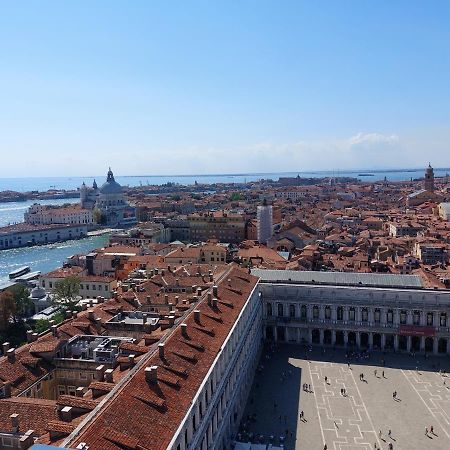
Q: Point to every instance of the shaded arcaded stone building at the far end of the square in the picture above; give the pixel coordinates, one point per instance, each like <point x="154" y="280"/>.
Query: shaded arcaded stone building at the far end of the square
<point x="362" y="317"/>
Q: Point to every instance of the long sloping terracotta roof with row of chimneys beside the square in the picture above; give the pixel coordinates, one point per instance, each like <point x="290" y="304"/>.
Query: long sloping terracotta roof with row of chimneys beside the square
<point x="157" y="410"/>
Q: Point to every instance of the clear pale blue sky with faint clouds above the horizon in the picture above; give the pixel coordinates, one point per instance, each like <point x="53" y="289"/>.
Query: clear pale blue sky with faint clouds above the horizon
<point x="197" y="87"/>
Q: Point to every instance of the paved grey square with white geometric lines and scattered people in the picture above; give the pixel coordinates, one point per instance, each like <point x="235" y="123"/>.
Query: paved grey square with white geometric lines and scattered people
<point x="357" y="418"/>
